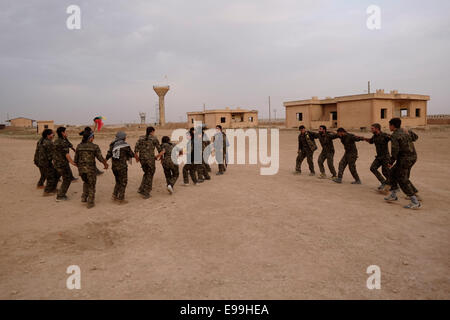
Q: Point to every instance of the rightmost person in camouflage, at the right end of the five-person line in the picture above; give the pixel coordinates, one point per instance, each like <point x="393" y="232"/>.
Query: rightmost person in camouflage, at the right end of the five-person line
<point x="403" y="157"/>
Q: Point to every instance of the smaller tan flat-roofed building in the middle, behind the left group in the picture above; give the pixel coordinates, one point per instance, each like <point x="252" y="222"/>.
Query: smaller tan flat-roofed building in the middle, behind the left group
<point x="227" y="118"/>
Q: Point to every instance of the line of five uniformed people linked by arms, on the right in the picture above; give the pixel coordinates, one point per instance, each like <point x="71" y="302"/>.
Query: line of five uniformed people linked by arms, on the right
<point x="395" y="165"/>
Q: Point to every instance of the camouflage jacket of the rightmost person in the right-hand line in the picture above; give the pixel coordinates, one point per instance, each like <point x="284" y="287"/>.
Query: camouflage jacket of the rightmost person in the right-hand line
<point x="402" y="145"/>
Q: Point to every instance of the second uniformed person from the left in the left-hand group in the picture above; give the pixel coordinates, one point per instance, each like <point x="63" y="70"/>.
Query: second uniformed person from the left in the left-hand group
<point x="61" y="160"/>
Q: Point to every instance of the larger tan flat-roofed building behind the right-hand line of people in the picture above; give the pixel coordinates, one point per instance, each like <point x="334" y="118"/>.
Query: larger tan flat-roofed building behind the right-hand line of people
<point x="358" y="111"/>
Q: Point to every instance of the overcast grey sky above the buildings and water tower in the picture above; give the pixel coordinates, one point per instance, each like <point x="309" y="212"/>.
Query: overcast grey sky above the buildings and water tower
<point x="218" y="53"/>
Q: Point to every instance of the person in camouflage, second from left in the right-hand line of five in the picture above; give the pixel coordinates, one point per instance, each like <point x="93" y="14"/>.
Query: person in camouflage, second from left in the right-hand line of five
<point x="326" y="141"/>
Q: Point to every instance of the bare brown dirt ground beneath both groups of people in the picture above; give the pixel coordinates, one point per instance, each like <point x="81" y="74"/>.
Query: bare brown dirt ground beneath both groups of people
<point x="238" y="236"/>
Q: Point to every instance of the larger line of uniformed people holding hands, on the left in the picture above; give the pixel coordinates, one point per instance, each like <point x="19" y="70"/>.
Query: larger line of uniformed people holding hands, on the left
<point x="53" y="160"/>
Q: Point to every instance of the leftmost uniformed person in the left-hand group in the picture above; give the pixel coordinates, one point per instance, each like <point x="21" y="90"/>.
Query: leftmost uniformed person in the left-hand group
<point x="45" y="155"/>
